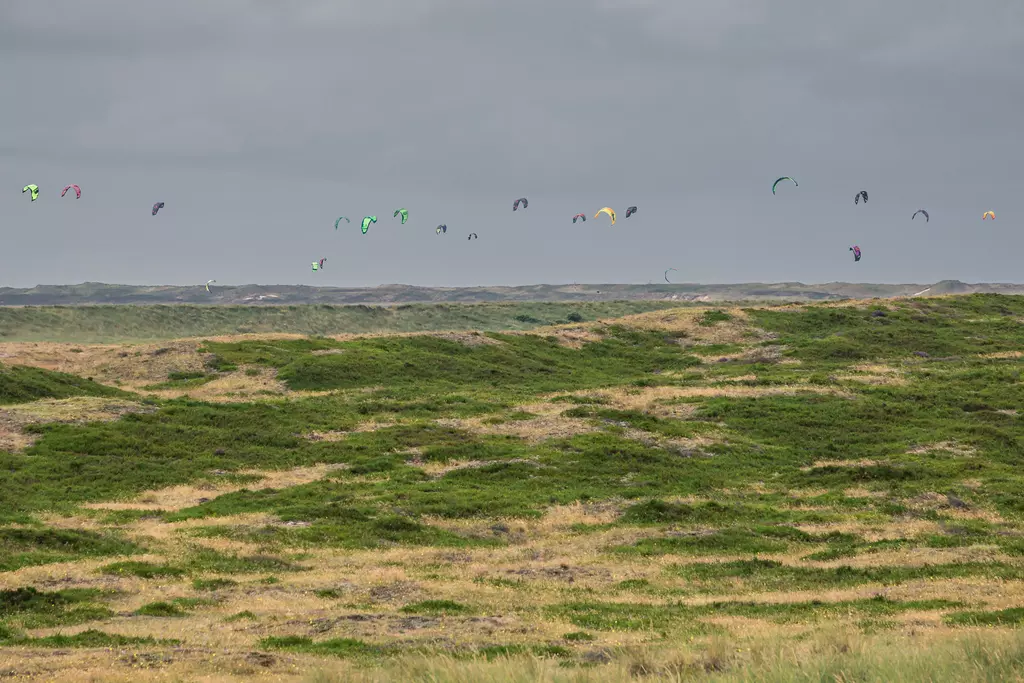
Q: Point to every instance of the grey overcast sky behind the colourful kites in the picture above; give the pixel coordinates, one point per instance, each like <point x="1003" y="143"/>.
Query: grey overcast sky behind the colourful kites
<point x="260" y="122"/>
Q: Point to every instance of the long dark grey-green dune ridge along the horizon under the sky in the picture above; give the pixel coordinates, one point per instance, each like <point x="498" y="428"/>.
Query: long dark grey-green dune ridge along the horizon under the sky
<point x="100" y="293"/>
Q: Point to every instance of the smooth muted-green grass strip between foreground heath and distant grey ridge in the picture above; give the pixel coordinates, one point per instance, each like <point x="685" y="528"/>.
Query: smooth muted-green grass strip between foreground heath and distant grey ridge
<point x="106" y="324"/>
